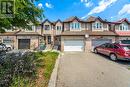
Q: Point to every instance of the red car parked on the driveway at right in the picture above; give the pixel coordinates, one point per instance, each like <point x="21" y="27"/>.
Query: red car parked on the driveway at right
<point x="114" y="50"/>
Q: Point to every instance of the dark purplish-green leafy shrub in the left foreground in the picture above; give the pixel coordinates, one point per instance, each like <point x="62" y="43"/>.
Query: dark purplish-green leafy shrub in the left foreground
<point x="20" y="65"/>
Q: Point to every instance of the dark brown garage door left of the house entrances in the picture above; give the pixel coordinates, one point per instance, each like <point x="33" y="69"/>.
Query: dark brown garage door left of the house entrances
<point x="23" y="43"/>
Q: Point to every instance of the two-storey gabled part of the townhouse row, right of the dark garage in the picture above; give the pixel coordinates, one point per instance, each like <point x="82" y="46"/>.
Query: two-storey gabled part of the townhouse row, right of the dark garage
<point x="75" y="34"/>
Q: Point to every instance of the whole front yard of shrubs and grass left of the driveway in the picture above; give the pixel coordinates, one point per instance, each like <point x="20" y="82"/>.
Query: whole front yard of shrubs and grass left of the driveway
<point x="33" y="69"/>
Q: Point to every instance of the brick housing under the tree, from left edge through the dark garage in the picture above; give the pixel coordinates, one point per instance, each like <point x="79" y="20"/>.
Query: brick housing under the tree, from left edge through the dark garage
<point x="22" y="38"/>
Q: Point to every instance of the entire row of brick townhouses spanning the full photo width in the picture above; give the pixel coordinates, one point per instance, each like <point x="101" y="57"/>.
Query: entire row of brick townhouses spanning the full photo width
<point x="72" y="34"/>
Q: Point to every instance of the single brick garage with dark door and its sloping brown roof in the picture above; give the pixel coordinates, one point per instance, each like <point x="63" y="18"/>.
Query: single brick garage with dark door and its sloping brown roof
<point x="27" y="40"/>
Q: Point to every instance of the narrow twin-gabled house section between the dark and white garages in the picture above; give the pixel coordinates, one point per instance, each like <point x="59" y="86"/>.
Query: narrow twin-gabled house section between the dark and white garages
<point x="52" y="31"/>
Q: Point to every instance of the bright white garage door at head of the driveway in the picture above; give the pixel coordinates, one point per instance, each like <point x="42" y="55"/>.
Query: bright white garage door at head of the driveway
<point x="73" y="45"/>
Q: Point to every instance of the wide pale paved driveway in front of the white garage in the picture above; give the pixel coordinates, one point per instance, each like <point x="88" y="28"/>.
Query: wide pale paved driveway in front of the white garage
<point x="91" y="70"/>
